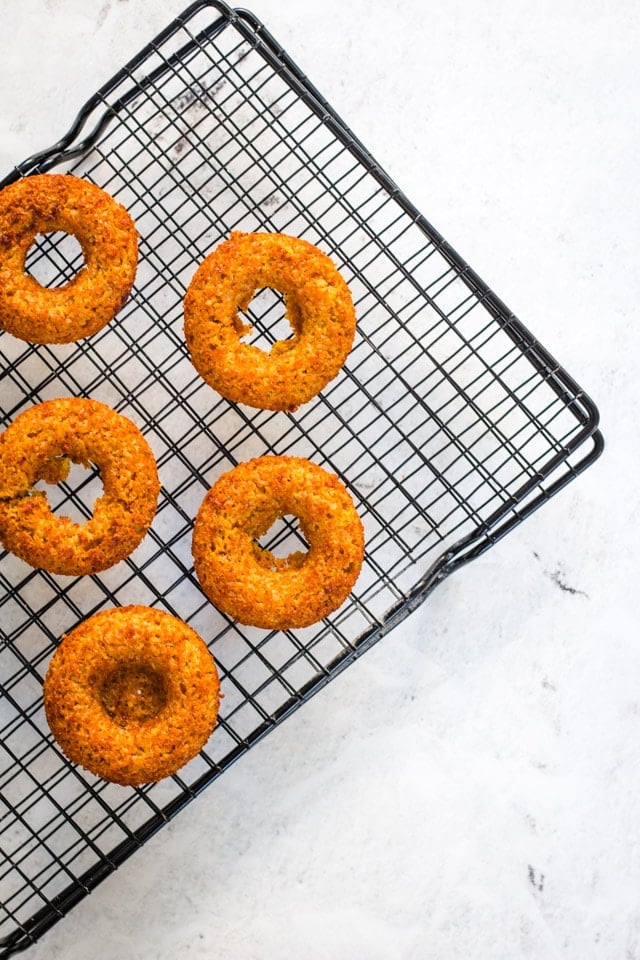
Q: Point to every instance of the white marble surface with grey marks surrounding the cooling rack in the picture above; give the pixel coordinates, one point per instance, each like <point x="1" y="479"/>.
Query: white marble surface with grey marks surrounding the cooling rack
<point x="471" y="787"/>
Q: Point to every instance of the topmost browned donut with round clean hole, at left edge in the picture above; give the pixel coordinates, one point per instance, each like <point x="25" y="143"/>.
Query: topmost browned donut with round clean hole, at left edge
<point x="44" y="203"/>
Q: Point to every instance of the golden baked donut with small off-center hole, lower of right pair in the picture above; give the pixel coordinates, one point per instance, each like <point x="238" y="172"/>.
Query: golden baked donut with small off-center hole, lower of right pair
<point x="248" y="582"/>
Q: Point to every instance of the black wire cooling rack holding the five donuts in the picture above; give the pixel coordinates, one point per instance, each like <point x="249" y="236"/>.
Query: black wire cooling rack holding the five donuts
<point x="449" y="423"/>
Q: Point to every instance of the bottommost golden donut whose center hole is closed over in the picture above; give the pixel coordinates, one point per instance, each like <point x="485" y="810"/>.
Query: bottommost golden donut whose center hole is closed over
<point x="131" y="694"/>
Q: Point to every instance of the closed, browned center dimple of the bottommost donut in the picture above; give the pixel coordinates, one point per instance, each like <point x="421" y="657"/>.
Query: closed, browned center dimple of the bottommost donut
<point x="133" y="693"/>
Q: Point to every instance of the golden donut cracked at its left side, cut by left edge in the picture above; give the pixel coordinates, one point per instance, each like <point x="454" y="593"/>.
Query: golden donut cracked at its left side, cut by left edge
<point x="40" y="444"/>
